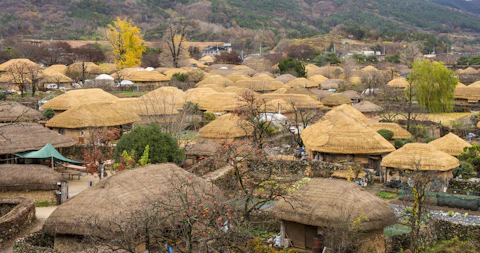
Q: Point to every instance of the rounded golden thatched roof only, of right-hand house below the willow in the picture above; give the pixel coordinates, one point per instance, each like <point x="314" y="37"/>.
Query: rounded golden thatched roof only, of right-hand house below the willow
<point x="426" y="156"/>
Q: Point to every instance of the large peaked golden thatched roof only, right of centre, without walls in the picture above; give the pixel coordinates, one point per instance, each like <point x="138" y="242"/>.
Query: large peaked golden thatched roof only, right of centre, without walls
<point x="339" y="133"/>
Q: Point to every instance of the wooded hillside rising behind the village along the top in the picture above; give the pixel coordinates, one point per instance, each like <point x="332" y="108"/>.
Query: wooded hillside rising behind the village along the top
<point x="240" y="21"/>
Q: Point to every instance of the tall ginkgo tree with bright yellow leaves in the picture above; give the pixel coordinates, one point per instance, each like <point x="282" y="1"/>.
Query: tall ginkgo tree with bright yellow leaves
<point x="126" y="42"/>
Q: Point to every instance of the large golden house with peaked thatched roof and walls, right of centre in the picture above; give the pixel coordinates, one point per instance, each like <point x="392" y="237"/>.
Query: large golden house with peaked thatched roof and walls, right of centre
<point x="338" y="136"/>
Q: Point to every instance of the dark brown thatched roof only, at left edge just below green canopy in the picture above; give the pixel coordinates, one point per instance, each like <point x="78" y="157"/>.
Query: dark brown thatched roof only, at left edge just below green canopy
<point x="28" y="177"/>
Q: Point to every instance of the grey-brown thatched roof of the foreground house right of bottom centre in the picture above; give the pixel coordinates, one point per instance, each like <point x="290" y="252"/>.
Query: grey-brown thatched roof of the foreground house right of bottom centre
<point x="330" y="203"/>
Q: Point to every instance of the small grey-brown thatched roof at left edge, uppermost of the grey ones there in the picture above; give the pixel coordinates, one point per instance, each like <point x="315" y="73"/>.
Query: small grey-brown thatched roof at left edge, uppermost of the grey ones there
<point x="16" y="112"/>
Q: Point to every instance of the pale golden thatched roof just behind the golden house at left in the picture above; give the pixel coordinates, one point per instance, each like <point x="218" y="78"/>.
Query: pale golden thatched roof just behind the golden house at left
<point x="78" y="97"/>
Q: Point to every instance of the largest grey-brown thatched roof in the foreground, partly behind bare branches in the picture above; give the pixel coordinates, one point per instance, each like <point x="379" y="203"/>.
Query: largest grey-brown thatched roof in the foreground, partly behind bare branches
<point x="116" y="196"/>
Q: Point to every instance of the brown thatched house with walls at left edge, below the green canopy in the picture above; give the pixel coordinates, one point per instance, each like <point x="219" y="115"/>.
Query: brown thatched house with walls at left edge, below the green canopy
<point x="31" y="181"/>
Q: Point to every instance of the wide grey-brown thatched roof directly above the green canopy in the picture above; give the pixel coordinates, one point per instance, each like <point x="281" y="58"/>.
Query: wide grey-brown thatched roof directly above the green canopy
<point x="21" y="137"/>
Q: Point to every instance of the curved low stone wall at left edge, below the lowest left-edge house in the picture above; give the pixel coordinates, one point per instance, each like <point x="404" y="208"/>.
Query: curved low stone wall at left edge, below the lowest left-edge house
<point x="22" y="214"/>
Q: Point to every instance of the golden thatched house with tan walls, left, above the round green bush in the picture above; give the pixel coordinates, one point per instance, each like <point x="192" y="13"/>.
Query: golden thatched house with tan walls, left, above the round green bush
<point x="76" y="121"/>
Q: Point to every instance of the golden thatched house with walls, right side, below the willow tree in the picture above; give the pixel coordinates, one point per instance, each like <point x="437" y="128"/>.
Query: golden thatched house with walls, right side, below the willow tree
<point x="419" y="156"/>
